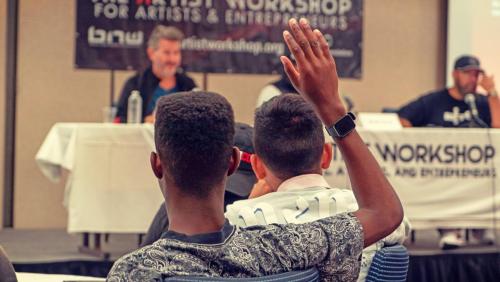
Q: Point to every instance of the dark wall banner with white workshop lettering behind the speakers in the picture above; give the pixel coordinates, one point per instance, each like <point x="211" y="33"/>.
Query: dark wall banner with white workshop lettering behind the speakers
<point x="221" y="36"/>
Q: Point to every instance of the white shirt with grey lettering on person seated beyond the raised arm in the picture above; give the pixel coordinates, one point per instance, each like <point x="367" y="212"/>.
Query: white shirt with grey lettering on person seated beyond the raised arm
<point x="306" y="198"/>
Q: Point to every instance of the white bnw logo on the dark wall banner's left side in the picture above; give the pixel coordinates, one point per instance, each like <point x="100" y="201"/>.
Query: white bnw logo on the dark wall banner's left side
<point x="114" y="38"/>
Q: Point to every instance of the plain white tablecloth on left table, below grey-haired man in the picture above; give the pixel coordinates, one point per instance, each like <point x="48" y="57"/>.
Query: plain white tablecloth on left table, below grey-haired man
<point x="110" y="187"/>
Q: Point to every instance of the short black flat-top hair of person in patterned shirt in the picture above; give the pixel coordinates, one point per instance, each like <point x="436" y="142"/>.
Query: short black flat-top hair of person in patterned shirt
<point x="194" y="134"/>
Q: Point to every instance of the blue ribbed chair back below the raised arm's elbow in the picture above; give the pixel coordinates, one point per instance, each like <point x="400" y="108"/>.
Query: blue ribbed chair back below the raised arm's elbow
<point x="389" y="264"/>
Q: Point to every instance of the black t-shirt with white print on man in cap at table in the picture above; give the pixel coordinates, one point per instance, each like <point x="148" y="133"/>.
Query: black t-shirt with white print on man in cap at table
<point x="441" y="110"/>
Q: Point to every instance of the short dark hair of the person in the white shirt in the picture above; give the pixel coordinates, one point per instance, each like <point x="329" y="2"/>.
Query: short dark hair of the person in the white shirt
<point x="288" y="136"/>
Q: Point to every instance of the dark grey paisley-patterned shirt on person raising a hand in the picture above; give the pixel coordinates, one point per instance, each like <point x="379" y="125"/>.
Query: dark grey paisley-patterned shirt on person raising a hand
<point x="333" y="245"/>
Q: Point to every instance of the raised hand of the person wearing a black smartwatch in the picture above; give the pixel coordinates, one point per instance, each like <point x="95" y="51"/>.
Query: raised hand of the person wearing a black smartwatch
<point x="315" y="76"/>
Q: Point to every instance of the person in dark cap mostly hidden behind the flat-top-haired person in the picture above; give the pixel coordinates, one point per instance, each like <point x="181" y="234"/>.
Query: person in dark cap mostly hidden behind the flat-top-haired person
<point x="238" y="185"/>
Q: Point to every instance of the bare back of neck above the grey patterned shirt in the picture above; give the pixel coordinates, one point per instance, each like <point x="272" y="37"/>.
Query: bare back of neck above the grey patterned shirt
<point x="191" y="215"/>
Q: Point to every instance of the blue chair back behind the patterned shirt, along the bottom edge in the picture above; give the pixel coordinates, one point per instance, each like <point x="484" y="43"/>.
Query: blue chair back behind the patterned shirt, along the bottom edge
<point x="310" y="275"/>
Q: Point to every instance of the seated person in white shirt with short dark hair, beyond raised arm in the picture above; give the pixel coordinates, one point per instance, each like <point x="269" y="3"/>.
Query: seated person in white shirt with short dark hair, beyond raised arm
<point x="290" y="155"/>
